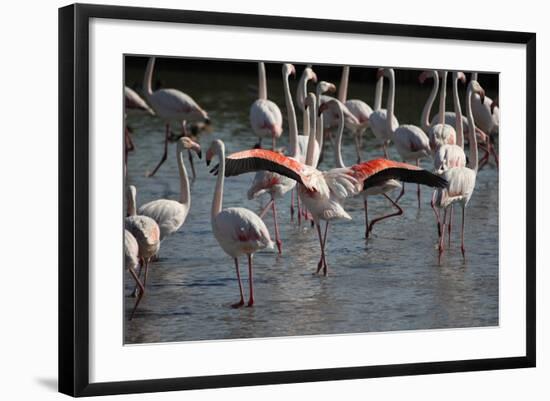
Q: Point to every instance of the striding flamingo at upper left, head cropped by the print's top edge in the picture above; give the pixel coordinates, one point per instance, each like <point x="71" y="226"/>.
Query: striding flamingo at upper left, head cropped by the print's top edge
<point x="171" y="105"/>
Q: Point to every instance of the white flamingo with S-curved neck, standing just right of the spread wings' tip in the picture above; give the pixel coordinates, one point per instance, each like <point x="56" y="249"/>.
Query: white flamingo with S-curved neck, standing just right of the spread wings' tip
<point x="461" y="179"/>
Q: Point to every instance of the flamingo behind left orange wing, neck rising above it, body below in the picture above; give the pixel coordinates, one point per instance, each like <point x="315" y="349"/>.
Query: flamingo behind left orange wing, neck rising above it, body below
<point x="269" y="182"/>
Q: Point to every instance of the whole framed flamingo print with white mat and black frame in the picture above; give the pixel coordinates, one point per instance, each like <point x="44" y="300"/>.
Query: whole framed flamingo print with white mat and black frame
<point x="251" y="208"/>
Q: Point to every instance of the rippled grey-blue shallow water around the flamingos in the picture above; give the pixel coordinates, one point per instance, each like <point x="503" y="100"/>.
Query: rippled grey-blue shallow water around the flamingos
<point x="392" y="282"/>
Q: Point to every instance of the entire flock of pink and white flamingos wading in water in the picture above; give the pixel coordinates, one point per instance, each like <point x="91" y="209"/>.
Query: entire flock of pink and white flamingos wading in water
<point x="316" y="194"/>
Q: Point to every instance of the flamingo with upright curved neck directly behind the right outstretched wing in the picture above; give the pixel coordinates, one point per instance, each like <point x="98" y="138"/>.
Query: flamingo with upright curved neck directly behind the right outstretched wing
<point x="410" y="141"/>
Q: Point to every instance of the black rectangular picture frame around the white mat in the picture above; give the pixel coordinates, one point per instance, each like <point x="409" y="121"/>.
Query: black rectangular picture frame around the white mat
<point x="74" y="204"/>
